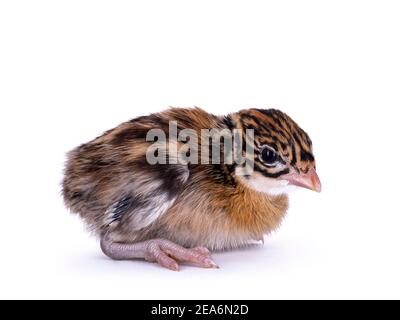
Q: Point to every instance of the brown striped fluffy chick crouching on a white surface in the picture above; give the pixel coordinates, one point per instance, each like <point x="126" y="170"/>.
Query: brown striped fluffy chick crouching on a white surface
<point x="180" y="212"/>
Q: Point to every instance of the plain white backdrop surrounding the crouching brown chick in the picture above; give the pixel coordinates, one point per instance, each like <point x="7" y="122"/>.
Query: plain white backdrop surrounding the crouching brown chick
<point x="70" y="70"/>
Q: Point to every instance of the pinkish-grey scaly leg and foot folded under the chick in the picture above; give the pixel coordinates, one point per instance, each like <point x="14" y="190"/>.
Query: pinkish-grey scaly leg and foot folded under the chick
<point x="166" y="253"/>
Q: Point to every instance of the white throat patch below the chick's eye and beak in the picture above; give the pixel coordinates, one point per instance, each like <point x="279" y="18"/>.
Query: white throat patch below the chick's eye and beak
<point x="267" y="185"/>
